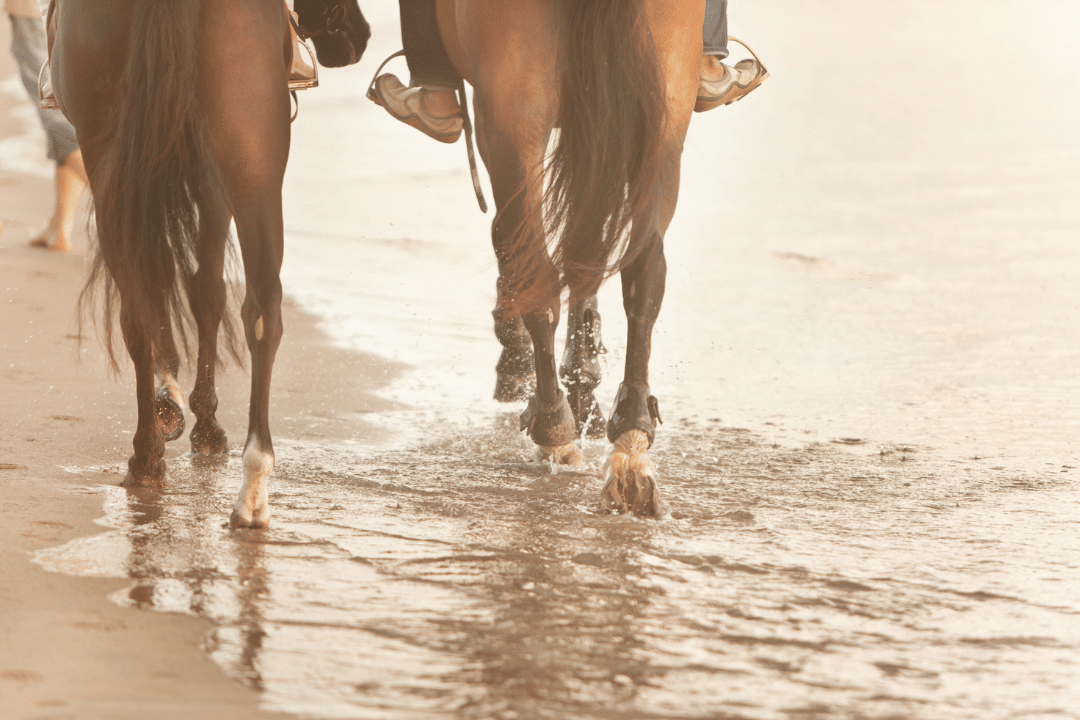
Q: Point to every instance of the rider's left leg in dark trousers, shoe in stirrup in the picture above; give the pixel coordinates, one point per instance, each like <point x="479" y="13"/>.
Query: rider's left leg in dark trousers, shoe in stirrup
<point x="429" y="104"/>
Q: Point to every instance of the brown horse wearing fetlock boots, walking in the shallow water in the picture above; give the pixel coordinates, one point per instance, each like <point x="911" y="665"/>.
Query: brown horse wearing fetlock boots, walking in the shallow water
<point x="619" y="79"/>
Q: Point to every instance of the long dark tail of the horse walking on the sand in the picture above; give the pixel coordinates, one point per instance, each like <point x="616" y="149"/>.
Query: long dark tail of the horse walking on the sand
<point x="154" y="180"/>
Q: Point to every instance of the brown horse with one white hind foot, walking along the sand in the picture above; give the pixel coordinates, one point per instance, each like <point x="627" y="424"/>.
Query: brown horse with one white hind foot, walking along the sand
<point x="183" y="114"/>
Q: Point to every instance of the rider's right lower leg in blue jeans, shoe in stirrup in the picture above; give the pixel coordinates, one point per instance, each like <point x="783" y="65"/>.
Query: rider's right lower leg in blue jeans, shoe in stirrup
<point x="723" y="85"/>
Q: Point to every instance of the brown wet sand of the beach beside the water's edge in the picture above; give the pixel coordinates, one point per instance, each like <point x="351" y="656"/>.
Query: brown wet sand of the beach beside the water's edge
<point x="66" y="650"/>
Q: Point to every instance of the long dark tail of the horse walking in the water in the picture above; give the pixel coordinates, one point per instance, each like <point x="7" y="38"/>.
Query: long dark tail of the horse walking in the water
<point x="605" y="167"/>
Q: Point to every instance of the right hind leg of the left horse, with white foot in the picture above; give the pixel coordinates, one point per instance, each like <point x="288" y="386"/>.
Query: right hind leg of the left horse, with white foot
<point x="244" y="90"/>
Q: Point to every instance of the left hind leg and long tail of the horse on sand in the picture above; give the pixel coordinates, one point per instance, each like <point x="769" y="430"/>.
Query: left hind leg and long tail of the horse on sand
<point x="129" y="89"/>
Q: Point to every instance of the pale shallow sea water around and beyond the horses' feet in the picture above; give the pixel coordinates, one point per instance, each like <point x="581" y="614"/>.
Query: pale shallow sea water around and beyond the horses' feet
<point x="868" y="366"/>
